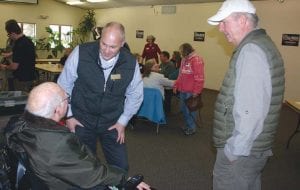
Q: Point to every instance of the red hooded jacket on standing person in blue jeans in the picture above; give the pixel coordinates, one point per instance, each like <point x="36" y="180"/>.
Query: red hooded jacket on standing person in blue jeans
<point x="191" y="74"/>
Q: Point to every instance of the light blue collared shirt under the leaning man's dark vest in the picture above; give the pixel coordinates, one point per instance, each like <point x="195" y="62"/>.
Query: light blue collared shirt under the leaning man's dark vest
<point x="134" y="91"/>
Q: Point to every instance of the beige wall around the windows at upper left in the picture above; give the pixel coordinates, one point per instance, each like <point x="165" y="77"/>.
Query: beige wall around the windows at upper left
<point x="58" y="14"/>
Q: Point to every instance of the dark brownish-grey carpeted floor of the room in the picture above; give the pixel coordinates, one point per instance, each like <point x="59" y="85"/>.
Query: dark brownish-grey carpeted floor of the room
<point x="173" y="161"/>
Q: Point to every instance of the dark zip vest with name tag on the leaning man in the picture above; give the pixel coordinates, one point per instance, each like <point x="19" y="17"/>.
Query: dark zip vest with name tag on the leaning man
<point x="93" y="105"/>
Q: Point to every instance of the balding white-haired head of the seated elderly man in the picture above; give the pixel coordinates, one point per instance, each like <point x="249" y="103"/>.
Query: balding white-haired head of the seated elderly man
<point x="44" y="98"/>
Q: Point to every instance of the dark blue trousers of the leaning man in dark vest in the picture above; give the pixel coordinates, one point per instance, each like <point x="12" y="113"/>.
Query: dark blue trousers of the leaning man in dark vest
<point x="114" y="152"/>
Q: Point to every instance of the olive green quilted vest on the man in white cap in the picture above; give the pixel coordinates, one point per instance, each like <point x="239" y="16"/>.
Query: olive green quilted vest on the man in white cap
<point x="223" y="119"/>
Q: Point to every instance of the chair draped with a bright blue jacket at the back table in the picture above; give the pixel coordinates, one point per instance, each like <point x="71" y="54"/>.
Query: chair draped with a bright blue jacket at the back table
<point x="152" y="107"/>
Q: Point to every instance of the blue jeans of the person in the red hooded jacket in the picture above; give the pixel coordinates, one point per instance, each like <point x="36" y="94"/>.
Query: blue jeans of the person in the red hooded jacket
<point x="189" y="117"/>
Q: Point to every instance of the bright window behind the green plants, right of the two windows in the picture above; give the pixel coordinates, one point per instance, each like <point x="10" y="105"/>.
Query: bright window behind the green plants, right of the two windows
<point x="62" y="33"/>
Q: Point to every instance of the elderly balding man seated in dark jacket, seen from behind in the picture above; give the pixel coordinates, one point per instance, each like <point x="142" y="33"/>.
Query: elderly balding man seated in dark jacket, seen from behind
<point x="55" y="154"/>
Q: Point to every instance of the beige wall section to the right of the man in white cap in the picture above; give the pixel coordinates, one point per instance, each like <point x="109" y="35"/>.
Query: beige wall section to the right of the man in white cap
<point x="279" y="19"/>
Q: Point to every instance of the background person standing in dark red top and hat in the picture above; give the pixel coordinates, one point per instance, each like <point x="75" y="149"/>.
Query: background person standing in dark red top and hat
<point x="151" y="49"/>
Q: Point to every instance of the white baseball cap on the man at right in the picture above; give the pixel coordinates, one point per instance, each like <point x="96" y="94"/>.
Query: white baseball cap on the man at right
<point x="231" y="6"/>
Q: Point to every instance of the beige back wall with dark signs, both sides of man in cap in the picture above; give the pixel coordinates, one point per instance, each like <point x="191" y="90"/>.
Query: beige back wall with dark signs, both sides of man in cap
<point x="173" y="30"/>
